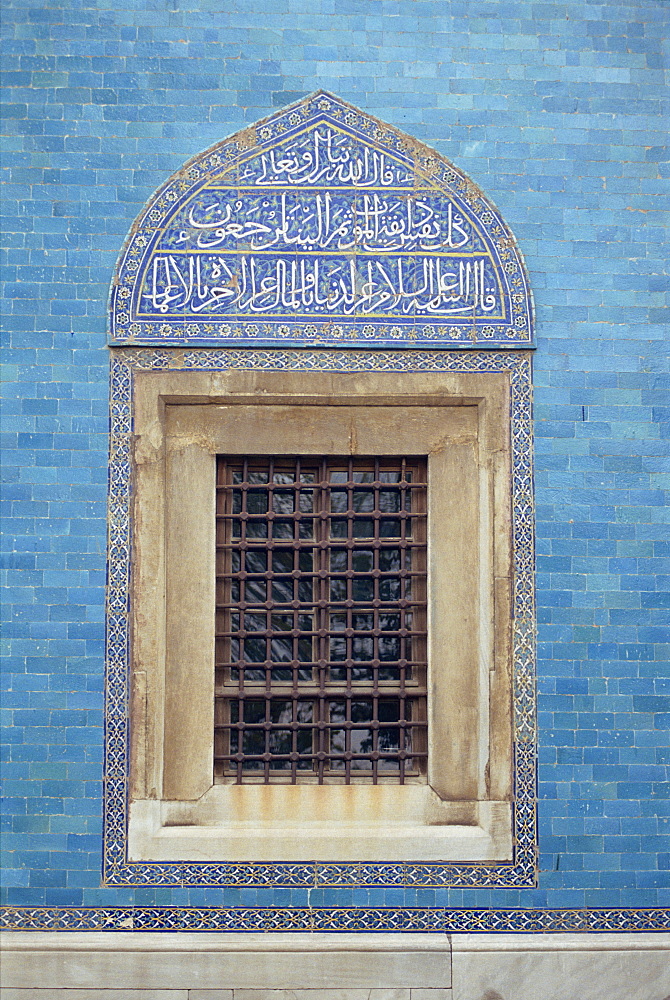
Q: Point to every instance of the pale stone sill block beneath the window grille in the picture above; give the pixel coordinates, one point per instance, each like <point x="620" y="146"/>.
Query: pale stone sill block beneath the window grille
<point x="205" y="829"/>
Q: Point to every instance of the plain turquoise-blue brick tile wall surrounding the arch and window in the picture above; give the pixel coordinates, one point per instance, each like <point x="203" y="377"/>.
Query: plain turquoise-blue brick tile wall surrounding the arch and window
<point x="557" y="111"/>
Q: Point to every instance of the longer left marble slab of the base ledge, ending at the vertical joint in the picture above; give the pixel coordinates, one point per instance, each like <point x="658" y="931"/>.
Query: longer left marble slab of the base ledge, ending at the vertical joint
<point x="203" y="962"/>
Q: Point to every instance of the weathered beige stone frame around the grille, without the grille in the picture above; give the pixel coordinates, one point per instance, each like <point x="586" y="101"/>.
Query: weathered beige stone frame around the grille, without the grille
<point x="176" y="811"/>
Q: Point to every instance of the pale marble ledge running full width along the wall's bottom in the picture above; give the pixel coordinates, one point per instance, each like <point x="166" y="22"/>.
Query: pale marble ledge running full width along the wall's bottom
<point x="184" y="966"/>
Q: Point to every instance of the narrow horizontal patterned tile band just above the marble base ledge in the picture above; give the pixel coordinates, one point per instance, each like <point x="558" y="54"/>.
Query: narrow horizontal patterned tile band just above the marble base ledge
<point x="335" y="920"/>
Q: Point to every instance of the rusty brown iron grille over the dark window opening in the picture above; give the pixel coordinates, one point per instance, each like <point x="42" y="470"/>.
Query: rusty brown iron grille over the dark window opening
<point x="320" y="620"/>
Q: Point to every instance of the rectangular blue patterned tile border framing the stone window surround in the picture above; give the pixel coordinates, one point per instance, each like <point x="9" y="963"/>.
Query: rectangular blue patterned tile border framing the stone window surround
<point x="118" y="871"/>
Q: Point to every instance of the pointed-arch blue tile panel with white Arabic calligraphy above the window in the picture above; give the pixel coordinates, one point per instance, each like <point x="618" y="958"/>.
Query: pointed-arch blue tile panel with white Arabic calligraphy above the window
<point x="321" y="226"/>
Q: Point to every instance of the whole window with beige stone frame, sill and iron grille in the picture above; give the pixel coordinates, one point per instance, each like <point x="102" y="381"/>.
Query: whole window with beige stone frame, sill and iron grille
<point x="352" y="722"/>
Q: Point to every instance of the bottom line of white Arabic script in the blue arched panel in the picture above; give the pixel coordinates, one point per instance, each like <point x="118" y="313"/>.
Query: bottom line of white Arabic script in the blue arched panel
<point x="249" y="284"/>
